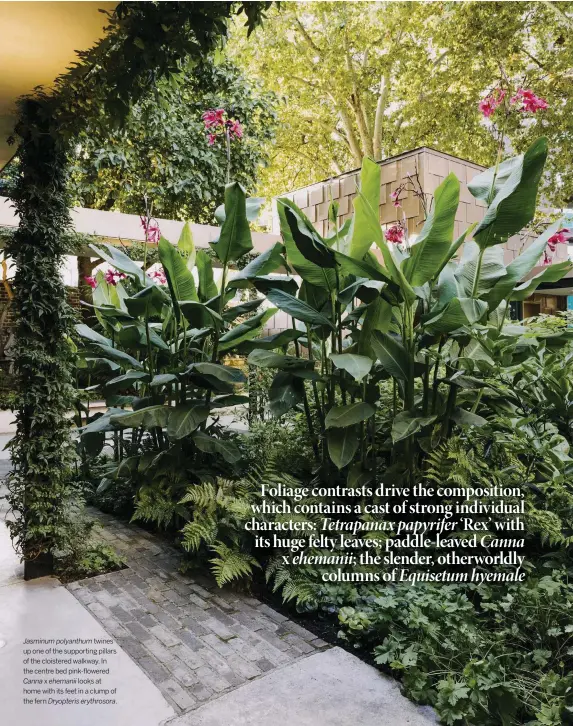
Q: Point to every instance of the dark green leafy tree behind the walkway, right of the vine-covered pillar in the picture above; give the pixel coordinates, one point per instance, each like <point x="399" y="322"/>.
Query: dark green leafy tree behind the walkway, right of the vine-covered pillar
<point x="161" y="151"/>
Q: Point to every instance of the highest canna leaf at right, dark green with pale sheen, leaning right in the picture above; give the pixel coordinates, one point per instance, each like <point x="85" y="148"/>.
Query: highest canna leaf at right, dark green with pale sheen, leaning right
<point x="513" y="207"/>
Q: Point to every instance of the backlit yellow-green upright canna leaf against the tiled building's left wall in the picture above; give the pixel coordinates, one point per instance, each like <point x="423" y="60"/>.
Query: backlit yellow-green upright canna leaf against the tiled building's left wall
<point x="365" y="226"/>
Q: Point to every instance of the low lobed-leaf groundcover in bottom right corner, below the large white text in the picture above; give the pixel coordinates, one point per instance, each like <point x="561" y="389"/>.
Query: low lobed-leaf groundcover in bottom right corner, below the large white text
<point x="480" y="654"/>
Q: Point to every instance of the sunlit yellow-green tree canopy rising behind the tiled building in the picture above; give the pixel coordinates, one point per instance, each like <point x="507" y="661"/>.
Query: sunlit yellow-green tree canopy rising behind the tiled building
<point x="377" y="78"/>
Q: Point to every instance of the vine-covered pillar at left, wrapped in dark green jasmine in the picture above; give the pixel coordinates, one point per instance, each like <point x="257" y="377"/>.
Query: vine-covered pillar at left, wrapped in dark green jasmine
<point x="39" y="489"/>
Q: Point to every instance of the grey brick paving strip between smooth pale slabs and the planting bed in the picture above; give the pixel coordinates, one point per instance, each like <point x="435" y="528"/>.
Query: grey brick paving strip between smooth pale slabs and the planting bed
<point x="194" y="640"/>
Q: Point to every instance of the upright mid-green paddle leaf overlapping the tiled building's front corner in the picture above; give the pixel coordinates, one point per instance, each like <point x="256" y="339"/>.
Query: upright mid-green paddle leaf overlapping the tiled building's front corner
<point x="432" y="247"/>
